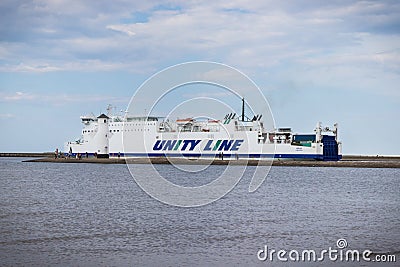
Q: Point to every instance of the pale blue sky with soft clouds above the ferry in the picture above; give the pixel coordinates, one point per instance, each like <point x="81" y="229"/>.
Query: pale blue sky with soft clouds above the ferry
<point x="329" y="61"/>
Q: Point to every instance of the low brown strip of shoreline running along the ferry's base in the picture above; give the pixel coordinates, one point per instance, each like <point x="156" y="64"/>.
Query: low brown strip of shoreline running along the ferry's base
<point x="347" y="161"/>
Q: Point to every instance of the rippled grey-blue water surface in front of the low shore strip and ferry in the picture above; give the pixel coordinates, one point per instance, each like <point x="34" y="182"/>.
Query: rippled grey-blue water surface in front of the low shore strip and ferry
<point x="96" y="215"/>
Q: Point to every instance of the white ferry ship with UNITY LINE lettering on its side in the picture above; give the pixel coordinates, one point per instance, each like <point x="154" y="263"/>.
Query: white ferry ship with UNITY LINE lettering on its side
<point x="232" y="137"/>
